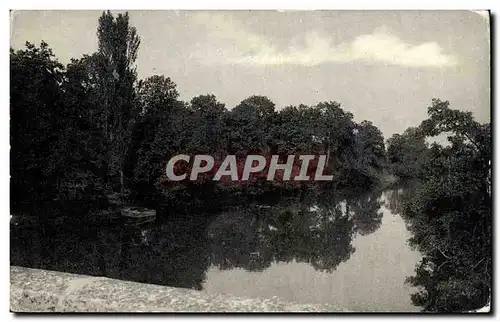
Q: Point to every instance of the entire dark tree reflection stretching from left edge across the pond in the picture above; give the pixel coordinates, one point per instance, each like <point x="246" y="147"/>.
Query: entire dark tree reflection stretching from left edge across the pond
<point x="178" y="249"/>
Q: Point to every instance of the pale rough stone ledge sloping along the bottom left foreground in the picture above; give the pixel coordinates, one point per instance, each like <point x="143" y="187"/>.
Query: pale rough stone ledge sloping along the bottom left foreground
<point x="34" y="290"/>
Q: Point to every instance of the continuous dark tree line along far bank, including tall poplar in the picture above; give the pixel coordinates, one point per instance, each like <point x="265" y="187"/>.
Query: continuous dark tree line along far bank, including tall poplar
<point x="90" y="131"/>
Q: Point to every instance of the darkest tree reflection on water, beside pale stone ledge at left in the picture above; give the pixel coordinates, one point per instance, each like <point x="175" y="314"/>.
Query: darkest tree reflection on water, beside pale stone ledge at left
<point x="175" y="252"/>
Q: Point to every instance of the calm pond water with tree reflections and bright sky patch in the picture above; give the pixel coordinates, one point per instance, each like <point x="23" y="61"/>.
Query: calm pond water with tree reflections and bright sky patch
<point x="348" y="251"/>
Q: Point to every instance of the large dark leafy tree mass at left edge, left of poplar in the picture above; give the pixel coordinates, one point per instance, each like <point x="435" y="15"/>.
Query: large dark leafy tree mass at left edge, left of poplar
<point x="55" y="161"/>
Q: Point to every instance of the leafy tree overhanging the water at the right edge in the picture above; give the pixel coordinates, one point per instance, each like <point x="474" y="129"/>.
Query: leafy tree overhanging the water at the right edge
<point x="450" y="215"/>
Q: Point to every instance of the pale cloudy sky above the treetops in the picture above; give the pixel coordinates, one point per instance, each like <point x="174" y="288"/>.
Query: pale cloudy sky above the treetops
<point x="382" y="66"/>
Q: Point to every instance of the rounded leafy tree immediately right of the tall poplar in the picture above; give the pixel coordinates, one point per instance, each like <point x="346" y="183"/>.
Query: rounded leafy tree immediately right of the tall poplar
<point x="157" y="133"/>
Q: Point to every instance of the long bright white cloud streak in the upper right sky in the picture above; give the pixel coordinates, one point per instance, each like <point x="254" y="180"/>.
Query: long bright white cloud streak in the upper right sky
<point x="239" y="46"/>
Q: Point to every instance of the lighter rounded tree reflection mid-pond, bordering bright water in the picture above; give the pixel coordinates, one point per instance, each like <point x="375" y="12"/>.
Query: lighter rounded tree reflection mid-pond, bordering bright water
<point x="318" y="229"/>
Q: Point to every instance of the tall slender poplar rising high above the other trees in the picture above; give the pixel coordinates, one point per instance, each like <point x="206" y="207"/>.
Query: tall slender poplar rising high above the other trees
<point x="115" y="76"/>
